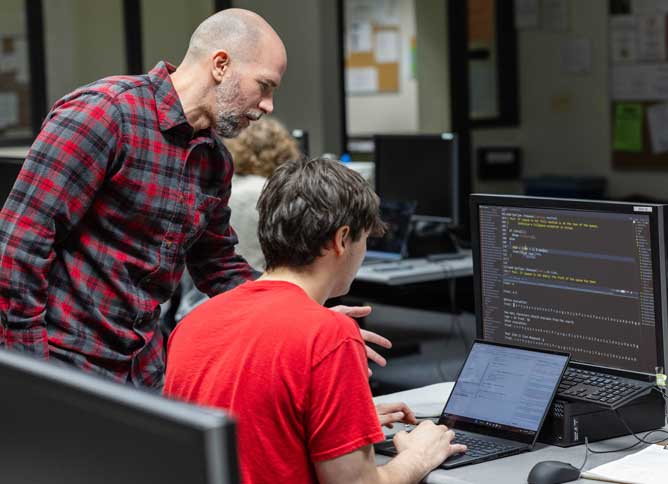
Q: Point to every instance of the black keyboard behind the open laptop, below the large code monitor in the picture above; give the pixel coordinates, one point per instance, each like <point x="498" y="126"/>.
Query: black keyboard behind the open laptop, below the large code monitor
<point x="600" y="388"/>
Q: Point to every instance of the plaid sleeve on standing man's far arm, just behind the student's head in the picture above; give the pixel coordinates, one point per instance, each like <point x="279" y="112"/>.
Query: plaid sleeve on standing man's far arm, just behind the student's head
<point x="212" y="261"/>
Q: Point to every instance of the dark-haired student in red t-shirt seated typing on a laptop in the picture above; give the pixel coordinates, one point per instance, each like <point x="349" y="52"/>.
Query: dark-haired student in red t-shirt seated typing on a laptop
<point x="293" y="372"/>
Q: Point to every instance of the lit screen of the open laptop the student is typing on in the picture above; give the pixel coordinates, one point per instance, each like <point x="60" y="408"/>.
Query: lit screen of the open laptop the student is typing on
<point x="505" y="388"/>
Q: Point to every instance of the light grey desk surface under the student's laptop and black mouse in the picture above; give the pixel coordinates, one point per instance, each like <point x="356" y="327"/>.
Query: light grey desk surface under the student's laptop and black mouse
<point x="509" y="470"/>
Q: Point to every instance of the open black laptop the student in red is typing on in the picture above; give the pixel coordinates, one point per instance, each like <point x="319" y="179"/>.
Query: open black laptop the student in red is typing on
<point x="499" y="401"/>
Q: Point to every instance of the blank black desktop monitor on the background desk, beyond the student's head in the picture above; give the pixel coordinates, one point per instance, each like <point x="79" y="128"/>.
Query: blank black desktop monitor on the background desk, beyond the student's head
<point x="419" y="167"/>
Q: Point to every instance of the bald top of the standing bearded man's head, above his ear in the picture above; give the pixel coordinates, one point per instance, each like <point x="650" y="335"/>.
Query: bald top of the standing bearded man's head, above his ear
<point x="238" y="32"/>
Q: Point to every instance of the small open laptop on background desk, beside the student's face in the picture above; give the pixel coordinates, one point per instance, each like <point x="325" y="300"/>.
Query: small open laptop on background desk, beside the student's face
<point x="393" y="245"/>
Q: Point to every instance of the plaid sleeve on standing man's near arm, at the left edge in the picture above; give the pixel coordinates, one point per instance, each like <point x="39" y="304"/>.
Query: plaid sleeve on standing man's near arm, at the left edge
<point x="64" y="168"/>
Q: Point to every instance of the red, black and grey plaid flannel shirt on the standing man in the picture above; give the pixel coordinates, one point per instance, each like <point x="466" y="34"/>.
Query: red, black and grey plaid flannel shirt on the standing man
<point x="116" y="194"/>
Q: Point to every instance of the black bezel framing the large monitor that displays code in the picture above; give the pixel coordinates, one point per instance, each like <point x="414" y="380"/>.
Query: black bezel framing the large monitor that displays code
<point x="657" y="239"/>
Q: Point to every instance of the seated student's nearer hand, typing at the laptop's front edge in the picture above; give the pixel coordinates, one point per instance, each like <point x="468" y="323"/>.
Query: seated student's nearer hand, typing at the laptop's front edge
<point x="428" y="442"/>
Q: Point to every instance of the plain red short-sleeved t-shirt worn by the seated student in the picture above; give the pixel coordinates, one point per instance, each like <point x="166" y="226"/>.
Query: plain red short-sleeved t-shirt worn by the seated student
<point x="293" y="373"/>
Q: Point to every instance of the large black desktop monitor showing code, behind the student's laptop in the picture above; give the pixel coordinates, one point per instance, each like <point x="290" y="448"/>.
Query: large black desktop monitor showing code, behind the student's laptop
<point x="584" y="277"/>
